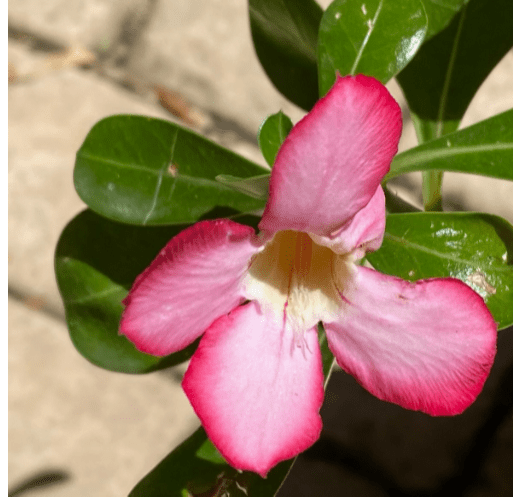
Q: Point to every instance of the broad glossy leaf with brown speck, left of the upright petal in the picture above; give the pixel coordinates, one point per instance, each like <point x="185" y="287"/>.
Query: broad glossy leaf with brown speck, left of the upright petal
<point x="145" y="171"/>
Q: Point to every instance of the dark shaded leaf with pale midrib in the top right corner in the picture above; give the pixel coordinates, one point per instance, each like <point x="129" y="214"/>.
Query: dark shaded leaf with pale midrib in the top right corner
<point x="445" y="74"/>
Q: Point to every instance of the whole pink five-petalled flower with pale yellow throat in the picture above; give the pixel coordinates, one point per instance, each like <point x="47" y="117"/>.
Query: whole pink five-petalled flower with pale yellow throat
<point x="256" y="379"/>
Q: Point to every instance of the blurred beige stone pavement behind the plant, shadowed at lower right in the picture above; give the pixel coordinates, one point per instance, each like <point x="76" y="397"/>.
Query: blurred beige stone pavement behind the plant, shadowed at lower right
<point x="80" y="430"/>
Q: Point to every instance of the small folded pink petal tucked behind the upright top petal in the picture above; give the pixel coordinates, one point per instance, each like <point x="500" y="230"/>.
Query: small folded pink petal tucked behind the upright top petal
<point x="363" y="233"/>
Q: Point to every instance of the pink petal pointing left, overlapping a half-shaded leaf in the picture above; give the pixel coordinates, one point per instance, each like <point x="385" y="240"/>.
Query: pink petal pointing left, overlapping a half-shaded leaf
<point x="195" y="279"/>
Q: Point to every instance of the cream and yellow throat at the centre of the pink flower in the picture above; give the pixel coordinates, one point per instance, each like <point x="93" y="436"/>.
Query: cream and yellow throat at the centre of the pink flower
<point x="295" y="277"/>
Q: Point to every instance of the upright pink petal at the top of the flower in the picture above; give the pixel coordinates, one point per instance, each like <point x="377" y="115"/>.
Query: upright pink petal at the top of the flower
<point x="332" y="161"/>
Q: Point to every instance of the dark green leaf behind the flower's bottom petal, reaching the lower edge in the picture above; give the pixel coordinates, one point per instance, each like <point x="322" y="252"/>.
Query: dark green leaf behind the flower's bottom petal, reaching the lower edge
<point x="196" y="468"/>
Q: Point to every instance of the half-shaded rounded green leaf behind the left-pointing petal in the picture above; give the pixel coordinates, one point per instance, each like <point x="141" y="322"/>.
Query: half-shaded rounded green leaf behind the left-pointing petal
<point x="96" y="262"/>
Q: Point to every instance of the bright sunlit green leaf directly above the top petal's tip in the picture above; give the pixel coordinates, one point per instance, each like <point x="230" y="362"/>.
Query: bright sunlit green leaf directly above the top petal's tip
<point x="370" y="37"/>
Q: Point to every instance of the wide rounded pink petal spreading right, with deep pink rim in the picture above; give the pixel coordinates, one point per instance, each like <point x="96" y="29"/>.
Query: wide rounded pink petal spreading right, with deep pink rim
<point x="427" y="346"/>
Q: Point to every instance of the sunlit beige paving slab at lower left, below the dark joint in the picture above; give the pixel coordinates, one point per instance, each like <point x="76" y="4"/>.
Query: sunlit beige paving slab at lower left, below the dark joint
<point x="102" y="431"/>
